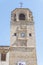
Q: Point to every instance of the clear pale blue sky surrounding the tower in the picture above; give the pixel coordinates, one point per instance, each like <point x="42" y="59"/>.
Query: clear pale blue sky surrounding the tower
<point x="36" y="6"/>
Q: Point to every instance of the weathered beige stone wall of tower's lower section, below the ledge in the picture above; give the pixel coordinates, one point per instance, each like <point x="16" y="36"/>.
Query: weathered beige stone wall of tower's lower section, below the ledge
<point x="28" y="55"/>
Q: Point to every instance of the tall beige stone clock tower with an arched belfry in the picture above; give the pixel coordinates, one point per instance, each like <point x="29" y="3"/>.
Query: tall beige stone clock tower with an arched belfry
<point x="22" y="38"/>
